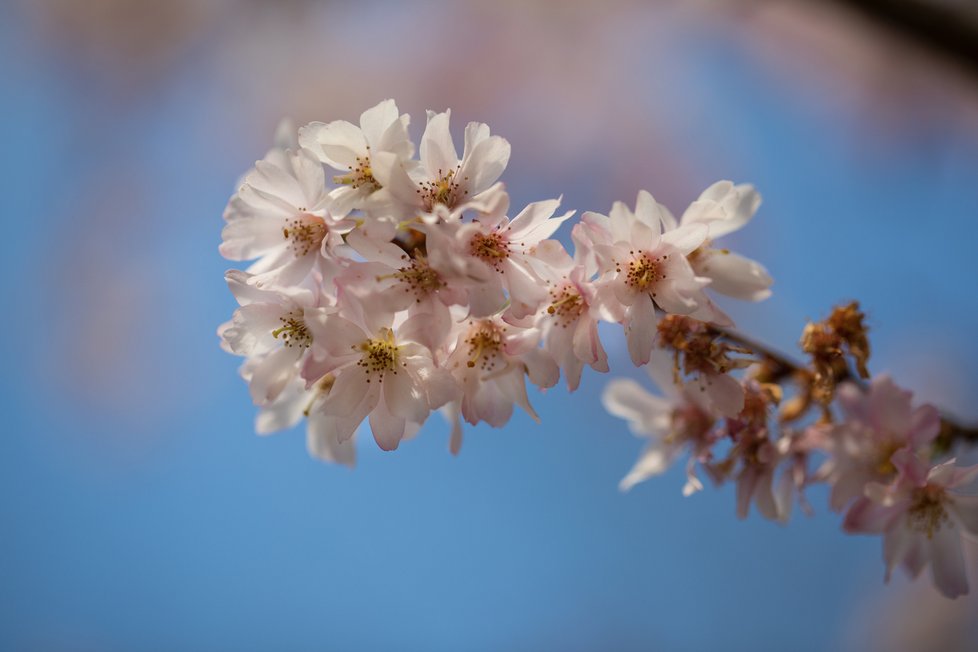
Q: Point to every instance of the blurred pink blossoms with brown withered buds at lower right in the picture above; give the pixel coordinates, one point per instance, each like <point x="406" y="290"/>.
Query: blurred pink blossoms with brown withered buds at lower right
<point x="877" y="452"/>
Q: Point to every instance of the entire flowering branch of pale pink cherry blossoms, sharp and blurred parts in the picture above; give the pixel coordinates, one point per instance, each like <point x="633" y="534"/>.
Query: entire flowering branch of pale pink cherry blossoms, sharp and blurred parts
<point x="386" y="286"/>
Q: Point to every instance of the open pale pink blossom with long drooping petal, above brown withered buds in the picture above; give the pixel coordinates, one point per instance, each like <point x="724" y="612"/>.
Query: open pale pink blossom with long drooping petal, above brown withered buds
<point x="644" y="267"/>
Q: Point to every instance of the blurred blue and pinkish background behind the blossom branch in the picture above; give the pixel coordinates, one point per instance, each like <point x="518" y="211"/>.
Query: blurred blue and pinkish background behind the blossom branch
<point x="140" y="511"/>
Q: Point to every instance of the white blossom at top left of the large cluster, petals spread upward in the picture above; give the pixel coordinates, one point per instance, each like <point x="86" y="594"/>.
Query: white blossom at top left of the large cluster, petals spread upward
<point x="351" y="149"/>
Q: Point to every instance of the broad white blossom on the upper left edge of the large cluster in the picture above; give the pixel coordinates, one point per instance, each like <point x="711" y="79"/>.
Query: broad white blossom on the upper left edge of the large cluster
<point x="280" y="216"/>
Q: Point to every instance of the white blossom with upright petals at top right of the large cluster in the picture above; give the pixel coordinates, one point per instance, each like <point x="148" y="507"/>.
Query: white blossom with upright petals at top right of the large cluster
<point x="442" y="178"/>
